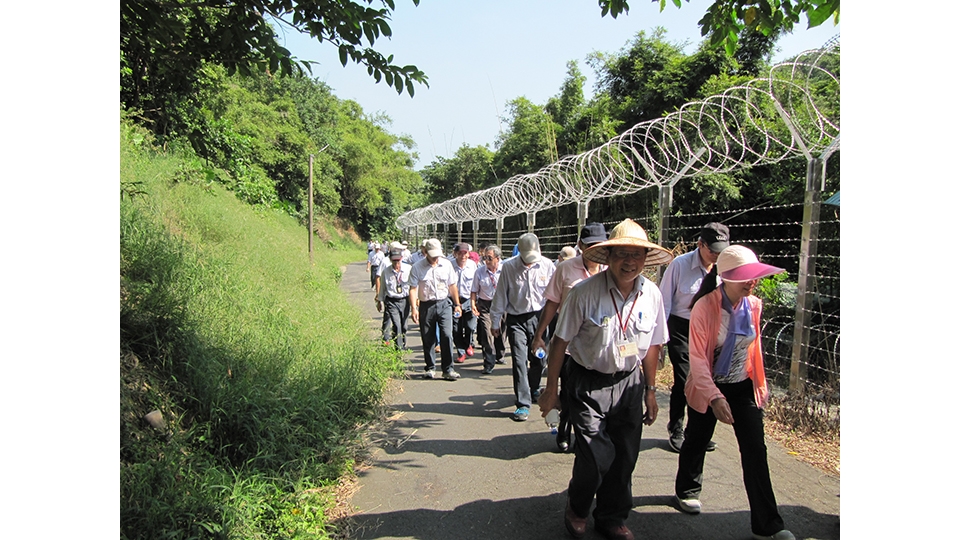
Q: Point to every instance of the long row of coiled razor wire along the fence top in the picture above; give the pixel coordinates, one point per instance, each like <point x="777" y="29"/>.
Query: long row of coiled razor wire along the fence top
<point x="792" y="111"/>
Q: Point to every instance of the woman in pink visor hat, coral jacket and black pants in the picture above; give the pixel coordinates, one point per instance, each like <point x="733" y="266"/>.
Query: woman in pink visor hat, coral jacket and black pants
<point x="727" y="383"/>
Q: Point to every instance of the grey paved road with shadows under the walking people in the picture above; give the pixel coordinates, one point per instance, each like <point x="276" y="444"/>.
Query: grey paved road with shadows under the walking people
<point x="454" y="466"/>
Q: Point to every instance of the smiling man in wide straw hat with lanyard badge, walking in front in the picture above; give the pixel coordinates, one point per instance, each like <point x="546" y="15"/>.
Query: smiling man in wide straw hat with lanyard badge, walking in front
<point x="613" y="326"/>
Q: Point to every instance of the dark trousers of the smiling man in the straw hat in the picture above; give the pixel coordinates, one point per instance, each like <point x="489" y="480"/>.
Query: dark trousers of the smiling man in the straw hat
<point x="607" y="416"/>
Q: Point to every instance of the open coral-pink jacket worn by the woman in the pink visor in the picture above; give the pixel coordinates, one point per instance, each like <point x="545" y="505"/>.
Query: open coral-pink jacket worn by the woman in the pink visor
<point x="704" y="327"/>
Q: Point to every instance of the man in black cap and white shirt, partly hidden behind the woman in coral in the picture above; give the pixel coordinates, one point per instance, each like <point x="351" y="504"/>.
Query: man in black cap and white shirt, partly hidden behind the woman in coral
<point x="679" y="284"/>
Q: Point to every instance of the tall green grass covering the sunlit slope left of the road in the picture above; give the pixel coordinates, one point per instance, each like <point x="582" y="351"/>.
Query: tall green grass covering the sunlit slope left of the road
<point x="257" y="362"/>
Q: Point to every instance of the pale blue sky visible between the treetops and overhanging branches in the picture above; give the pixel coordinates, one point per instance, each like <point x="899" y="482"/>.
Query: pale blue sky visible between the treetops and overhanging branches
<point x="480" y="55"/>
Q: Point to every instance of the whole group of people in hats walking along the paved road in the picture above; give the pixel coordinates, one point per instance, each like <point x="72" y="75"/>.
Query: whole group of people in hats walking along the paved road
<point x="603" y="325"/>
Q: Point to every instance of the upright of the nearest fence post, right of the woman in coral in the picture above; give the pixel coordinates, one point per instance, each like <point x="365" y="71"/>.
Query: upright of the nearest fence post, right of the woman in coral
<point x="806" y="280"/>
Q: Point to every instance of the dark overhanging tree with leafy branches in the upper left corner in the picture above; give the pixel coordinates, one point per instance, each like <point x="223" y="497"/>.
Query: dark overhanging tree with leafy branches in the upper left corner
<point x="164" y="43"/>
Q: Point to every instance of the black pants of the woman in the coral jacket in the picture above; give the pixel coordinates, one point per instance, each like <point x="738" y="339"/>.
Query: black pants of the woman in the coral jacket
<point x="765" y="519"/>
